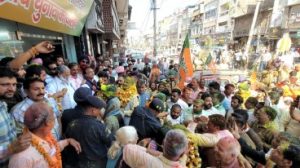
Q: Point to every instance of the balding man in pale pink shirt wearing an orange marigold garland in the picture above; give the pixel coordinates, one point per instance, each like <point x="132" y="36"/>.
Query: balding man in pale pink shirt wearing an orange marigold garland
<point x="44" y="150"/>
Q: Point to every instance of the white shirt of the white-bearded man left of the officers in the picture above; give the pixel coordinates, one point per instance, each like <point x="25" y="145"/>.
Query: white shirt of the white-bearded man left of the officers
<point x="57" y="85"/>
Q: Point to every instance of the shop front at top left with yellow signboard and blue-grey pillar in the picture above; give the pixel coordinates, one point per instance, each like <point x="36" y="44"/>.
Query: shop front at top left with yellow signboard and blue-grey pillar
<point x="35" y="21"/>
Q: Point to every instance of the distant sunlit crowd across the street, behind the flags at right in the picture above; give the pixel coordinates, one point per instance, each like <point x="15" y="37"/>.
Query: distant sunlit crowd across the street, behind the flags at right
<point x="237" y="59"/>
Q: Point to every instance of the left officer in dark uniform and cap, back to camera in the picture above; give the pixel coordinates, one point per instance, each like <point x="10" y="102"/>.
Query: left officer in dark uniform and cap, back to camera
<point x="93" y="136"/>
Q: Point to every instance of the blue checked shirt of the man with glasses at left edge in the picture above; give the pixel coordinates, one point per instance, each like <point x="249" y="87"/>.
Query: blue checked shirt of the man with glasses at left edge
<point x="7" y="132"/>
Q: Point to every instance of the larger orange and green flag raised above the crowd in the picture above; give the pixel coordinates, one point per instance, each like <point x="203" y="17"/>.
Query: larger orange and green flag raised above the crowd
<point x="185" y="63"/>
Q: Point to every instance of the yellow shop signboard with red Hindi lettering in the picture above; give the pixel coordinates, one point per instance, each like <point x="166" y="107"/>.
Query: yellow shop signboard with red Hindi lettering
<point x="64" y="16"/>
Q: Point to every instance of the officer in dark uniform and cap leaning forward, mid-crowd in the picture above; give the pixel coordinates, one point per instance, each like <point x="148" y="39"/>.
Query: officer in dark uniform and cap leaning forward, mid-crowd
<point x="146" y="120"/>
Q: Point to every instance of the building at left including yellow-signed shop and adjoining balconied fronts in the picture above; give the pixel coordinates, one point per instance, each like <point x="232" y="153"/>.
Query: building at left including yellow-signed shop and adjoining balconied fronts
<point x="90" y="27"/>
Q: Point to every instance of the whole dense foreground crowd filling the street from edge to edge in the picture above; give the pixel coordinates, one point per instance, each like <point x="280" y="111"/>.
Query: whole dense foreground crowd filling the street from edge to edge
<point x="94" y="114"/>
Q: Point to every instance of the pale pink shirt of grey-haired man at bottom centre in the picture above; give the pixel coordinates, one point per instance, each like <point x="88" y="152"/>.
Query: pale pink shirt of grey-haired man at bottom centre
<point x="137" y="157"/>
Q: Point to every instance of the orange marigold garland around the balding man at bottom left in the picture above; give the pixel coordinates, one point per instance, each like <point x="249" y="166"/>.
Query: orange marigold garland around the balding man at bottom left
<point x="53" y="163"/>
